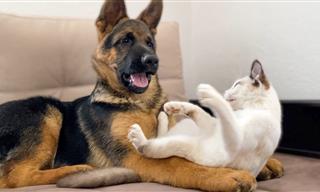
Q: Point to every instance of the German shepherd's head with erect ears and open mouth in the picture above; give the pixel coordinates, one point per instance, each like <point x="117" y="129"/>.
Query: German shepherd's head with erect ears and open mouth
<point x="126" y="56"/>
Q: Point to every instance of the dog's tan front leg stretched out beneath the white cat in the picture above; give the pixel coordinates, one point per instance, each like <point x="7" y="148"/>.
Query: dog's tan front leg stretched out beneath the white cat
<point x="182" y="173"/>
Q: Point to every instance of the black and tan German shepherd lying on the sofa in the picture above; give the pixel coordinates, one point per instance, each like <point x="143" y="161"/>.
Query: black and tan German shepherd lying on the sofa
<point x="43" y="140"/>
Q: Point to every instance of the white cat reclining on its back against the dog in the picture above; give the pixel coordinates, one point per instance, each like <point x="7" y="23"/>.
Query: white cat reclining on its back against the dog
<point x="244" y="134"/>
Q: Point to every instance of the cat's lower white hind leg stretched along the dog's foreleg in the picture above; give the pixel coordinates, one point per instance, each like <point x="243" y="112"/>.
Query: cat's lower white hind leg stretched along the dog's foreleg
<point x="164" y="147"/>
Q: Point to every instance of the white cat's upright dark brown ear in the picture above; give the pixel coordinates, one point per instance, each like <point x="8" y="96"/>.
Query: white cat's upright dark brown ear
<point x="257" y="74"/>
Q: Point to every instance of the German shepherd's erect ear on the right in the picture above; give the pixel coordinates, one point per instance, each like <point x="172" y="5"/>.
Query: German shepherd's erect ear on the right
<point x="152" y="14"/>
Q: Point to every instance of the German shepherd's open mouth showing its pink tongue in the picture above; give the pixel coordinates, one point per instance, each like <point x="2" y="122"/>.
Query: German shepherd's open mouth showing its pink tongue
<point x="137" y="82"/>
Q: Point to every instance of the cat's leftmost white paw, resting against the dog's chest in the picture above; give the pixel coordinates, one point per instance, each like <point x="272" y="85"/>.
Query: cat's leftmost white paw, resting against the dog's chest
<point x="137" y="137"/>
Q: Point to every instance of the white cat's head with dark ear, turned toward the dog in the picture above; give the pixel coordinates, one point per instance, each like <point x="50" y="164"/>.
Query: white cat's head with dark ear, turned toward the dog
<point x="250" y="89"/>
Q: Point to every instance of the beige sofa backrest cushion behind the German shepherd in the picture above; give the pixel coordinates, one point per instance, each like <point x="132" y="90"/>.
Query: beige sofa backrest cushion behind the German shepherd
<point x="51" y="57"/>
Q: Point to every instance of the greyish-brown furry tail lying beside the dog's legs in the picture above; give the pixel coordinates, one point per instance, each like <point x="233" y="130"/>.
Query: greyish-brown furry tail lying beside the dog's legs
<point x="99" y="178"/>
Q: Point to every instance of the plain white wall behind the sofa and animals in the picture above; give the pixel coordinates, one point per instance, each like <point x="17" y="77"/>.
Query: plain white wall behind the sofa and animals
<point x="220" y="39"/>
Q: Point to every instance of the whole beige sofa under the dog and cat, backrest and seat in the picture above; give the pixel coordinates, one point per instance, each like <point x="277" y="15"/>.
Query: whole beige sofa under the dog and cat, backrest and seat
<point x="48" y="56"/>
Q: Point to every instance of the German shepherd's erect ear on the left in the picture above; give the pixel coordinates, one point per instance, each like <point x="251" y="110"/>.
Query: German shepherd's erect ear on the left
<point x="111" y="13"/>
